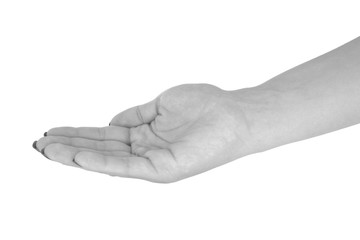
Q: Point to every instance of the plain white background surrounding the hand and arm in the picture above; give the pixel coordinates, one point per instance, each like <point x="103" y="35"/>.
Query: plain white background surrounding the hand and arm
<point x="78" y="63"/>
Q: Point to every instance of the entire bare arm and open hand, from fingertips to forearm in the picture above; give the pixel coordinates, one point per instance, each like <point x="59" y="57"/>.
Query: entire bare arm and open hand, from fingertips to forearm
<point x="192" y="128"/>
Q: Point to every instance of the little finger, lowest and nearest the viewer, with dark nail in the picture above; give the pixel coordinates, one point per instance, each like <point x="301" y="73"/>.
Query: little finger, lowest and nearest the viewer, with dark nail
<point x="132" y="167"/>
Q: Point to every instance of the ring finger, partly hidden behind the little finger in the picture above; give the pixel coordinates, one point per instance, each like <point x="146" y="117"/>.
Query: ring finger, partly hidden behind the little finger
<point x="65" y="154"/>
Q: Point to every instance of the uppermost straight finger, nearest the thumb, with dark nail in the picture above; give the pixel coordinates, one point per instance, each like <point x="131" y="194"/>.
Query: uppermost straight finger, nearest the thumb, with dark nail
<point x="104" y="133"/>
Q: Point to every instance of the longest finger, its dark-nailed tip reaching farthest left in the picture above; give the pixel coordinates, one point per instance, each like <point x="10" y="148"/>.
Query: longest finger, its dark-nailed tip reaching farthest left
<point x="83" y="143"/>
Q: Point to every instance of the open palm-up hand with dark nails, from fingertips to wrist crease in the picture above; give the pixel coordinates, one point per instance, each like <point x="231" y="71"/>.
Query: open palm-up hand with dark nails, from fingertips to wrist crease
<point x="186" y="130"/>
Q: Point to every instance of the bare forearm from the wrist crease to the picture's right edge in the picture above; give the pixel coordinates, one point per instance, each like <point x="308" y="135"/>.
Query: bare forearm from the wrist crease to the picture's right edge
<point x="314" y="98"/>
